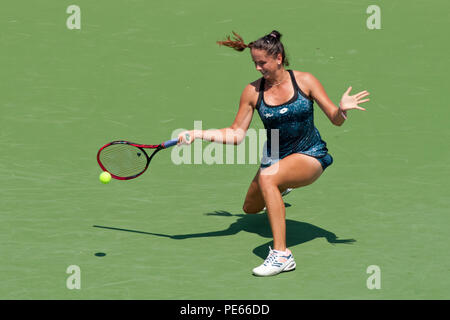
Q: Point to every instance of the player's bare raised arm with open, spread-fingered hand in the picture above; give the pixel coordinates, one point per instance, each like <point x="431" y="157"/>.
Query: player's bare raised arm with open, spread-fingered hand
<point x="337" y="115"/>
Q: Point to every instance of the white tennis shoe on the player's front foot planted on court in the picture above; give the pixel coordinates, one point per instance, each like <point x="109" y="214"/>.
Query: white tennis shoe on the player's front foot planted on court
<point x="276" y="262"/>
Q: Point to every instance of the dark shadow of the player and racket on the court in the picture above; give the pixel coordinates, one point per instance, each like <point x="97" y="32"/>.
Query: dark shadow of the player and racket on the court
<point x="296" y="232"/>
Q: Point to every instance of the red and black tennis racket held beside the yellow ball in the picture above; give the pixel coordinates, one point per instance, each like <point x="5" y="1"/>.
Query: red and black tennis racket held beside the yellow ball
<point x="126" y="160"/>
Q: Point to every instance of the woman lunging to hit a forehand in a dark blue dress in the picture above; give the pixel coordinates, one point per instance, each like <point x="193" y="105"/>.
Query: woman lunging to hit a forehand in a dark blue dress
<point x="284" y="100"/>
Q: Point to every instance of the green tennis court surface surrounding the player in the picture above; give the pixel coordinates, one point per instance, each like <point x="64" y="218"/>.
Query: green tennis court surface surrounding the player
<point x="140" y="70"/>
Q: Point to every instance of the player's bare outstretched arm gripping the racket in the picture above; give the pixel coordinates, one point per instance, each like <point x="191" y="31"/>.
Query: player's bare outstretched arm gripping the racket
<point x="235" y="133"/>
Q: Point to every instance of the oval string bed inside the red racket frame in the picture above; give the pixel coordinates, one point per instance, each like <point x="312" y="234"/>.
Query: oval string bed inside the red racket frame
<point x="123" y="160"/>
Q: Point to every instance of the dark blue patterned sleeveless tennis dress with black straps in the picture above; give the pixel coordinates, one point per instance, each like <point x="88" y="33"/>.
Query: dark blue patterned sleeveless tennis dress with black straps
<point x="294" y="121"/>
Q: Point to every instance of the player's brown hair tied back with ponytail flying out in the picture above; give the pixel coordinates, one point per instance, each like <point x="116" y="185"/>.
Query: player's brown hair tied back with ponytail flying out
<point x="270" y="43"/>
